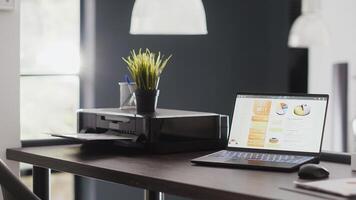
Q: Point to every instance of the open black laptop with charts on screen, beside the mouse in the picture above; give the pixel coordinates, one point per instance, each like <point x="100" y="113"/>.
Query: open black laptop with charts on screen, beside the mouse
<point x="273" y="132"/>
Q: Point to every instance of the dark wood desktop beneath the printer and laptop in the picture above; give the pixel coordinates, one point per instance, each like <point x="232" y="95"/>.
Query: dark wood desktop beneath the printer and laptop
<point x="172" y="173"/>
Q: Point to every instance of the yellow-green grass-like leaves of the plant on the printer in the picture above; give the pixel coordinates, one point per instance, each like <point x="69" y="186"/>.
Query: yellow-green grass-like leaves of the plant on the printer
<point x="146" y="68"/>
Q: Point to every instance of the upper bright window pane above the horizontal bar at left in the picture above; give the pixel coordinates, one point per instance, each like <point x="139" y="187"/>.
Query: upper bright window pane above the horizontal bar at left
<point x="50" y="36"/>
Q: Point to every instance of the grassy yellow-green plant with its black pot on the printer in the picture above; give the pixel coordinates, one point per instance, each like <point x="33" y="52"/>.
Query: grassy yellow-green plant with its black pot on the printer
<point x="146" y="68"/>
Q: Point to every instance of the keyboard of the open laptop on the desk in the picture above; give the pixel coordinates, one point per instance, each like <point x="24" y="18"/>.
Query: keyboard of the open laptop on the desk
<point x="281" y="158"/>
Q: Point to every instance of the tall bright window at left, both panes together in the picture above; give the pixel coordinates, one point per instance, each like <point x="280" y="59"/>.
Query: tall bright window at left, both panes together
<point x="50" y="62"/>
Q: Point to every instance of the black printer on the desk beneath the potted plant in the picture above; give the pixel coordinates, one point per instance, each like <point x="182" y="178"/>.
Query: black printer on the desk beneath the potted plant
<point x="165" y="131"/>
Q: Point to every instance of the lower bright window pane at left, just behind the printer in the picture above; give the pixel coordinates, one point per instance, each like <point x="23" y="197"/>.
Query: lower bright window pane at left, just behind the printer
<point x="48" y="104"/>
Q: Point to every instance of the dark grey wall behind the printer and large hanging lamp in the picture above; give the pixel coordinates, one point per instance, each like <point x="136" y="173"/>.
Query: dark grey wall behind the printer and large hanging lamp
<point x="245" y="50"/>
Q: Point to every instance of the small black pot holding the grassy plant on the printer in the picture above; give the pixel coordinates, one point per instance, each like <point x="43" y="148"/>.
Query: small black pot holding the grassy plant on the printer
<point x="146" y="101"/>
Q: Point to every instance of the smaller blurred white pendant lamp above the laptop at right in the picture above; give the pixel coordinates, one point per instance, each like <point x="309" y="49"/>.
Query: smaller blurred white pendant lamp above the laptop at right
<point x="309" y="29"/>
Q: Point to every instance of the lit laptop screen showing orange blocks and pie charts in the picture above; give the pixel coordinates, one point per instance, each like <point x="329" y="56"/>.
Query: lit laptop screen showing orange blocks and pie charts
<point x="289" y="123"/>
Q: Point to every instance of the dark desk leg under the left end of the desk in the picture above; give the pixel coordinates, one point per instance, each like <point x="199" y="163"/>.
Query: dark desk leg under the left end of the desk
<point x="41" y="182"/>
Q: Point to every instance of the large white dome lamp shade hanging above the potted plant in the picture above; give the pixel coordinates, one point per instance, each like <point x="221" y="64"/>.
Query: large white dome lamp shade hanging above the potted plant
<point x="168" y="17"/>
